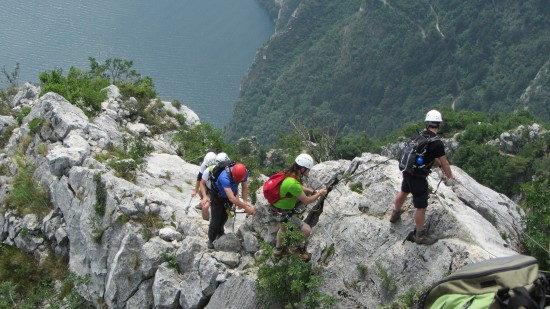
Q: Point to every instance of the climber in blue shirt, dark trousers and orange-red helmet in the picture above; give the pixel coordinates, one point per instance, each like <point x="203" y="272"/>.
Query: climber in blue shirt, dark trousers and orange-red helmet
<point x="224" y="194"/>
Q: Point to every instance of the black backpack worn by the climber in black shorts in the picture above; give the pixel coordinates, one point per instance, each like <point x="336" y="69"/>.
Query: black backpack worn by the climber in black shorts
<point x="413" y="158"/>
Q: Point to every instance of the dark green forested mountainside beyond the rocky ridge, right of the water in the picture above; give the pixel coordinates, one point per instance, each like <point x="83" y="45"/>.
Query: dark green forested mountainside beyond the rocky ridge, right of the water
<point x="370" y="66"/>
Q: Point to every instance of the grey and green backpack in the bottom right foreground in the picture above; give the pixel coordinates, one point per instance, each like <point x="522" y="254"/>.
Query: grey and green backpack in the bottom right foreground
<point x="508" y="282"/>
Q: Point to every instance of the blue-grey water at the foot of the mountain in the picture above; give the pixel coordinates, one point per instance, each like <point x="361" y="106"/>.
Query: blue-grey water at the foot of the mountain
<point x="196" y="51"/>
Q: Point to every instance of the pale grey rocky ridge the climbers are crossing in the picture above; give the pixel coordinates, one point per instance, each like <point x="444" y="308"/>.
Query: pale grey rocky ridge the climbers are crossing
<point x="142" y="244"/>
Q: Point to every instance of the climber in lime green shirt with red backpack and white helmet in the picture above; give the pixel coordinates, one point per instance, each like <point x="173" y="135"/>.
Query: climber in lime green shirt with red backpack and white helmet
<point x="284" y="192"/>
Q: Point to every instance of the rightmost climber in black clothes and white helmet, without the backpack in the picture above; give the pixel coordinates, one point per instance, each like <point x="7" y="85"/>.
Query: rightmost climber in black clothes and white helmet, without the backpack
<point x="418" y="185"/>
